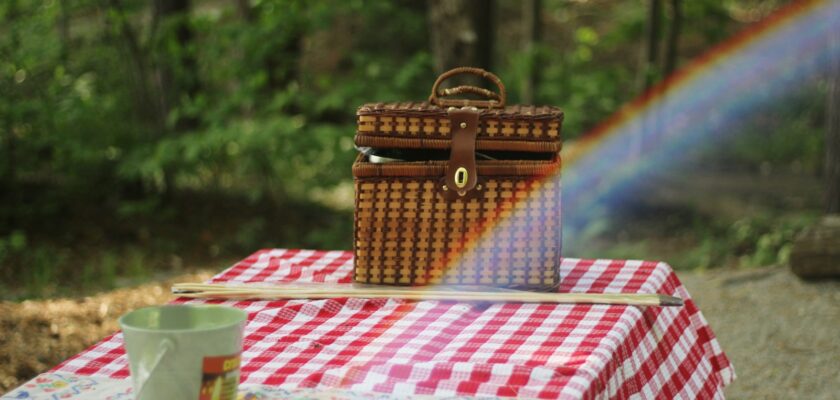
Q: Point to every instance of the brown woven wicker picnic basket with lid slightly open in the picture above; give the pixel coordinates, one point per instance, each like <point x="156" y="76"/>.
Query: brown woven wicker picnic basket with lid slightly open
<point x="458" y="191"/>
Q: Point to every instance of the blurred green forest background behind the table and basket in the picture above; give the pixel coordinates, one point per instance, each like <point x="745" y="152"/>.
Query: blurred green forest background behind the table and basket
<point x="139" y="138"/>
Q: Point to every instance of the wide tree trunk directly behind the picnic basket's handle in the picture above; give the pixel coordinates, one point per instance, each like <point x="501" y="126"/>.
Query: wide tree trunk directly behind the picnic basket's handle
<point x="462" y="33"/>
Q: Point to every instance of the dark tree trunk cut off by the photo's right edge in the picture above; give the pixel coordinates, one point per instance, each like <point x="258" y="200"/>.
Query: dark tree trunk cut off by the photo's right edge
<point x="832" y="134"/>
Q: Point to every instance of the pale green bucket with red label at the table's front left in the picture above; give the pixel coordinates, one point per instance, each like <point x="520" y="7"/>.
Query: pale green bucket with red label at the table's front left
<point x="184" y="351"/>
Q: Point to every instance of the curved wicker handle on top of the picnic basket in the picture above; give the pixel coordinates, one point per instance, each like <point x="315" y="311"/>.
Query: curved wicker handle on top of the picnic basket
<point x="493" y="99"/>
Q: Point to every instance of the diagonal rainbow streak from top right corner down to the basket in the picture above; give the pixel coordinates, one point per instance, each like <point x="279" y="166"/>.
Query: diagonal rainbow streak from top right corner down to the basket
<point x="704" y="101"/>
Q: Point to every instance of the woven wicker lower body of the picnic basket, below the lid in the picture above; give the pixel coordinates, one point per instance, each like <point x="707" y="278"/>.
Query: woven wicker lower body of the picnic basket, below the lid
<point x="509" y="236"/>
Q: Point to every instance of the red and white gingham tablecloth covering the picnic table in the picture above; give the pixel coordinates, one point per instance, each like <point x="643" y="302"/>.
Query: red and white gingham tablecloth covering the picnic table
<point x="452" y="348"/>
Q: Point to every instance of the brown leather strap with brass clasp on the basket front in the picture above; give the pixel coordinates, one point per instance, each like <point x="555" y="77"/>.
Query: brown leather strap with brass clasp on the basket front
<point x="461" y="172"/>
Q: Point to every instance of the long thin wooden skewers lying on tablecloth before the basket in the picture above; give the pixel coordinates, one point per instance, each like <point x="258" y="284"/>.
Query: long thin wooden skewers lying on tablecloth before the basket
<point x="227" y="291"/>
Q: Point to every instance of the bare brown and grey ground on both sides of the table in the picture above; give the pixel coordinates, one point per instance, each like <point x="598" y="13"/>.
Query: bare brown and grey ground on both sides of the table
<point x="782" y="335"/>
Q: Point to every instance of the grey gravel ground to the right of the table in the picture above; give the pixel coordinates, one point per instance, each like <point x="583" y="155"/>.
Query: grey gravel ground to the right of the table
<point x="781" y="334"/>
